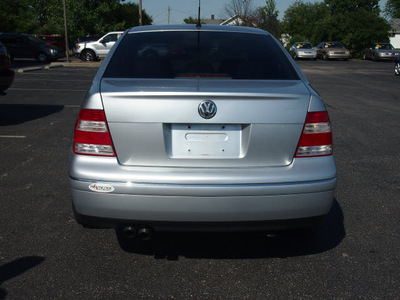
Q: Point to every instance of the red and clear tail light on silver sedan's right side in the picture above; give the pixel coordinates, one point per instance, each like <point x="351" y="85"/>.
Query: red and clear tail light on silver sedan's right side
<point x="316" y="138"/>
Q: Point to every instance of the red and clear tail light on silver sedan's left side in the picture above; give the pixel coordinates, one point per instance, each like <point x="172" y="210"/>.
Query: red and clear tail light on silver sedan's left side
<point x="92" y="136"/>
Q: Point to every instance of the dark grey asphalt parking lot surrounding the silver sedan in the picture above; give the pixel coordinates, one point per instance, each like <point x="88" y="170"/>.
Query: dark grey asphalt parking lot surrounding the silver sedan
<point x="353" y="254"/>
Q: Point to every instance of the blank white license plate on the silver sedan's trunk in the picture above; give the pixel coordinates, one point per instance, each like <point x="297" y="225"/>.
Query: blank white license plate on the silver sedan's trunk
<point x="206" y="141"/>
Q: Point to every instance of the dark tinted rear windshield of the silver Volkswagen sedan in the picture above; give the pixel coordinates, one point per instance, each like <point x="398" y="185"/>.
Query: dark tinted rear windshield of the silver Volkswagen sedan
<point x="192" y="54"/>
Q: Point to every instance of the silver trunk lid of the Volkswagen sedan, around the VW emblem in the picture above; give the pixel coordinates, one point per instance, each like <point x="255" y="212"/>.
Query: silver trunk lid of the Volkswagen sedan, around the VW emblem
<point x="156" y="122"/>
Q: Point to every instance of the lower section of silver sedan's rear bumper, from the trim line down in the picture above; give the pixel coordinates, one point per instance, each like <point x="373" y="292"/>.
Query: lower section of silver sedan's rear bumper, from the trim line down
<point x="262" y="205"/>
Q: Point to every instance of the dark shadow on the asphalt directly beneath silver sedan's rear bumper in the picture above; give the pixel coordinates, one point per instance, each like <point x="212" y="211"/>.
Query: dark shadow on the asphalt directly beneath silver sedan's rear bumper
<point x="170" y="246"/>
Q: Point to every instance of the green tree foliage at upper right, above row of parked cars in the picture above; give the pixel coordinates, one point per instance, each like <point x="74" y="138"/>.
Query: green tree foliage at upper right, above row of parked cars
<point x="355" y="23"/>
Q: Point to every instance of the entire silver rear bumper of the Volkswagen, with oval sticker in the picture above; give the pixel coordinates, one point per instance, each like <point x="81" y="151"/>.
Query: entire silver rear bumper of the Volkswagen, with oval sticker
<point x="107" y="194"/>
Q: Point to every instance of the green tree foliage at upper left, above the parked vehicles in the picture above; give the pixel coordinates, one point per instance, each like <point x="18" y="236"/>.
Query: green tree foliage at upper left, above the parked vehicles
<point x="83" y="16"/>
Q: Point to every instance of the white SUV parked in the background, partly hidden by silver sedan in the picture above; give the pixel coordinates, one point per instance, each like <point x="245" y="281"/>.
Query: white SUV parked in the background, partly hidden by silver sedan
<point x="94" y="50"/>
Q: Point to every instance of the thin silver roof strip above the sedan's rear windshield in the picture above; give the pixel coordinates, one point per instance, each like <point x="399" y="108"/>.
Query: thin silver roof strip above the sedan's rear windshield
<point x="193" y="27"/>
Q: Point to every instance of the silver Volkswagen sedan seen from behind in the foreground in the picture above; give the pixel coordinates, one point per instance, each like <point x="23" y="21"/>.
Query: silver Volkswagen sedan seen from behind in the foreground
<point x="212" y="134"/>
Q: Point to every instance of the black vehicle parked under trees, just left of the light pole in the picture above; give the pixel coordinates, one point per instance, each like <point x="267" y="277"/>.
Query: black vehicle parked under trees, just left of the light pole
<point x="29" y="46"/>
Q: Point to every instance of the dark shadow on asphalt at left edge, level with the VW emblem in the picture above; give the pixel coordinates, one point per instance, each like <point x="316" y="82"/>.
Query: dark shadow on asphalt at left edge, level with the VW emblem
<point x="13" y="114"/>
